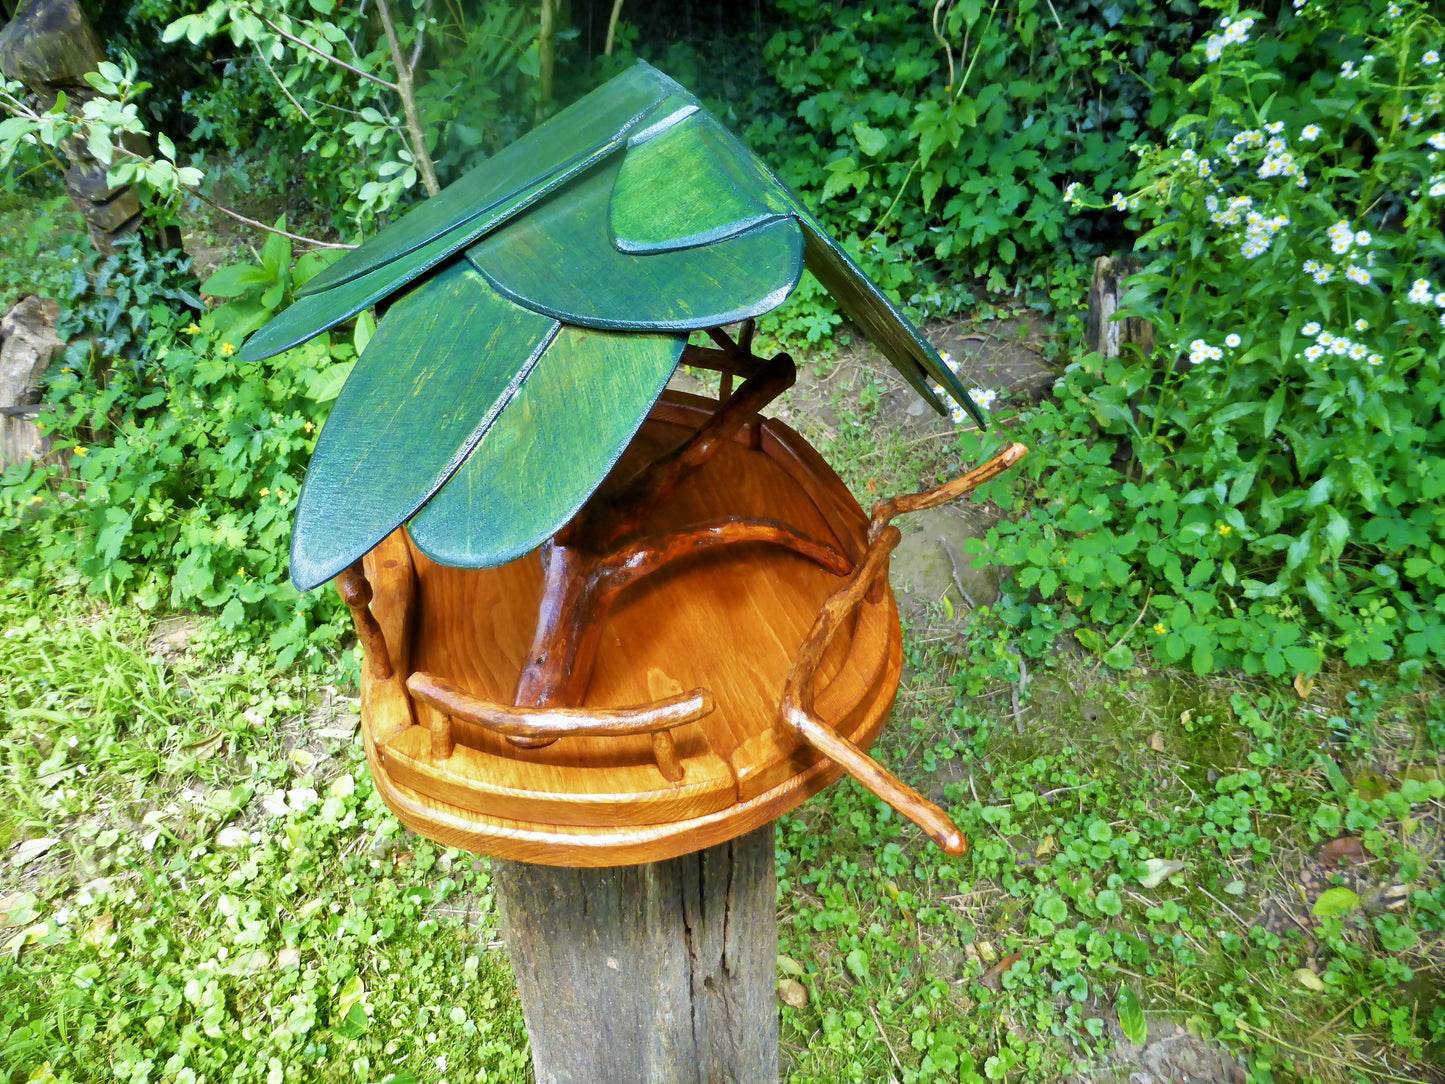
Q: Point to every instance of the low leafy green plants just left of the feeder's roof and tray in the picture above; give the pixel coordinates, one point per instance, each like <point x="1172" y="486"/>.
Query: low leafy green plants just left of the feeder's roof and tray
<point x="177" y="468"/>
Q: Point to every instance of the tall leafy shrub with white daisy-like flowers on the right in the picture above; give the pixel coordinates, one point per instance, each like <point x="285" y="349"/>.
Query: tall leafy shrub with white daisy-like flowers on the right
<point x="1269" y="485"/>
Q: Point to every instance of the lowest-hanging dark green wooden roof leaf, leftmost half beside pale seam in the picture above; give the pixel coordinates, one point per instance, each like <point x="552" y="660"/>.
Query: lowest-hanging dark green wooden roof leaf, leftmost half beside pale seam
<point x="437" y="374"/>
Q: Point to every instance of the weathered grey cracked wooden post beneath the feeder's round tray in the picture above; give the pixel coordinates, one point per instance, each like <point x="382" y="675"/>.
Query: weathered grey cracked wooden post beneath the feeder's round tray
<point x="650" y="975"/>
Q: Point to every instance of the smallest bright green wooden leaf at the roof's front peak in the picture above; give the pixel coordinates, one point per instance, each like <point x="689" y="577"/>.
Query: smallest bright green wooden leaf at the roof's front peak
<point x="684" y="187"/>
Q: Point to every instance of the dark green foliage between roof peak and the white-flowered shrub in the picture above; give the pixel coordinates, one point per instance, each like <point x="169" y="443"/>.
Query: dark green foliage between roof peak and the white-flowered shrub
<point x="947" y="147"/>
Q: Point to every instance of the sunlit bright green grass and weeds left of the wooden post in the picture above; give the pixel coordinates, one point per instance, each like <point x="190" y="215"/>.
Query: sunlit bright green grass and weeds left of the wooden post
<point x="207" y="887"/>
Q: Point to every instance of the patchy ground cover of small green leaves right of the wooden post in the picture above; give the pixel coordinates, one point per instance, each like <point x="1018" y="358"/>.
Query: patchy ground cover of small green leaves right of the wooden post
<point x="1125" y="846"/>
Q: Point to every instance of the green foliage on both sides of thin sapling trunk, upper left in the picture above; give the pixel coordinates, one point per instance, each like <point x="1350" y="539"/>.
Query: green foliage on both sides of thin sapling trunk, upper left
<point x="343" y="135"/>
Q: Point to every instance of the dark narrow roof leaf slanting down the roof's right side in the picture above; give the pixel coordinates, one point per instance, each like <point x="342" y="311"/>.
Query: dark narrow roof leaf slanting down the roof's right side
<point x="889" y="330"/>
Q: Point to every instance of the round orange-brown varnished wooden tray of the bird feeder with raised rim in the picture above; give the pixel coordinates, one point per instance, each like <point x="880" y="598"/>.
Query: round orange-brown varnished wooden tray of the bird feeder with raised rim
<point x="729" y="621"/>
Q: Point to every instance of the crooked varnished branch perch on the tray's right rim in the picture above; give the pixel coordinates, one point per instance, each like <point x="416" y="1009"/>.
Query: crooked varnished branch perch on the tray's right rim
<point x="797" y="709"/>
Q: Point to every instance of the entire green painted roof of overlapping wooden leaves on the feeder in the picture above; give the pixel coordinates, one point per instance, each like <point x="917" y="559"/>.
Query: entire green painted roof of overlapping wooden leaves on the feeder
<point x="538" y="307"/>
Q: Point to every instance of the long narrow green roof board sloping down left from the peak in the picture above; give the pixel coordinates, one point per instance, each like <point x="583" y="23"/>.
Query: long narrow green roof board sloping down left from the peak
<point x="543" y="160"/>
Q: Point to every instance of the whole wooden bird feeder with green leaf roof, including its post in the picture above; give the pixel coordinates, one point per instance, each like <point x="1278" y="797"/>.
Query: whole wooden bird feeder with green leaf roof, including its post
<point x="605" y="624"/>
